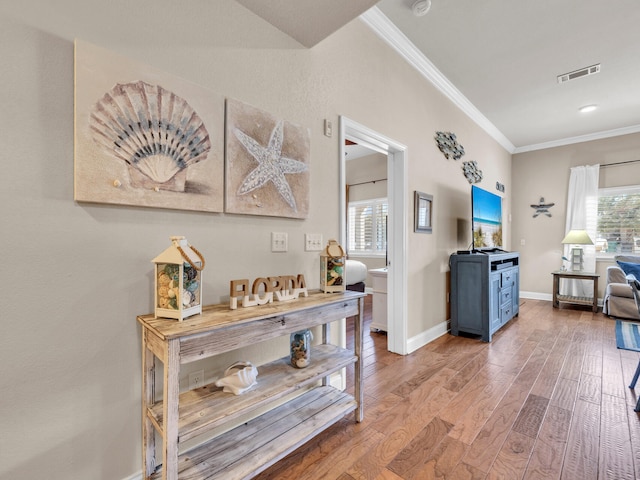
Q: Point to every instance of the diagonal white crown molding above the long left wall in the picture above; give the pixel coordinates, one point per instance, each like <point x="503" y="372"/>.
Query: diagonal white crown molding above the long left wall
<point x="387" y="31"/>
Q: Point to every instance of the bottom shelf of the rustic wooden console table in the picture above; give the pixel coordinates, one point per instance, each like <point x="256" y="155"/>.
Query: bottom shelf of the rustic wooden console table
<point x="266" y="439"/>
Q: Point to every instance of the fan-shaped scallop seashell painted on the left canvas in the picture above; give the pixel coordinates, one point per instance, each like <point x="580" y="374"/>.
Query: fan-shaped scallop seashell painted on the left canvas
<point x="156" y="132"/>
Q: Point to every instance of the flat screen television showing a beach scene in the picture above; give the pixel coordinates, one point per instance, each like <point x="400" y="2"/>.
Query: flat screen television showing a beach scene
<point x="486" y="213"/>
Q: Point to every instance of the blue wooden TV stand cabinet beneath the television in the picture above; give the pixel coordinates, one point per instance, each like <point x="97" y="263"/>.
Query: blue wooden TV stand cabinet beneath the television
<point x="485" y="291"/>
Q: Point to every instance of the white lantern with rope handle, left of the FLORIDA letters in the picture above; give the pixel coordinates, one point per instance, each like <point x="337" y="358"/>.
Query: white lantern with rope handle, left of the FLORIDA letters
<point x="178" y="292"/>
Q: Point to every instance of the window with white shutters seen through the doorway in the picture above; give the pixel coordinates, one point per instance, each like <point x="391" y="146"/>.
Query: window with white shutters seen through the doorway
<point x="367" y="230"/>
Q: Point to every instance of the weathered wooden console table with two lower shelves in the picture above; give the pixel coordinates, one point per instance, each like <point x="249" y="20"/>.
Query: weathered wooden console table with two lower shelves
<point x="171" y="418"/>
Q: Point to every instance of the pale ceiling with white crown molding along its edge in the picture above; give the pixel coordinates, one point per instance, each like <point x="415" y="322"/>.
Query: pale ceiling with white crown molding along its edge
<point x="498" y="60"/>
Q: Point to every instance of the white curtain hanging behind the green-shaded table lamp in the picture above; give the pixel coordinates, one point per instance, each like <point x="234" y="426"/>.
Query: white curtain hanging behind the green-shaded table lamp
<point x="582" y="214"/>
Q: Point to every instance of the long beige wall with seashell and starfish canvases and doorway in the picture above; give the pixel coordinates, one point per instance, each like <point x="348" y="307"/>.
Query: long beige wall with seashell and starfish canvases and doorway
<point x="76" y="275"/>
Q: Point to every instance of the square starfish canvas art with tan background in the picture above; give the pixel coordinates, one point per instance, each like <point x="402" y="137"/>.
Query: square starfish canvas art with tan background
<point x="267" y="171"/>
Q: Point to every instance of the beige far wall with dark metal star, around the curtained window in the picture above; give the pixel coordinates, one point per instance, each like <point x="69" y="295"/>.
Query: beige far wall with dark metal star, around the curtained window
<point x="545" y="173"/>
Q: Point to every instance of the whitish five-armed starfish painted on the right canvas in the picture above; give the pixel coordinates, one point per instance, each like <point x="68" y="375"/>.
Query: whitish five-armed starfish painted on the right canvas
<point x="272" y="166"/>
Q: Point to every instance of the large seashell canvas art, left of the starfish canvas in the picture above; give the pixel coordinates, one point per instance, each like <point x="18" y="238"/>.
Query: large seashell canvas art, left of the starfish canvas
<point x="144" y="137"/>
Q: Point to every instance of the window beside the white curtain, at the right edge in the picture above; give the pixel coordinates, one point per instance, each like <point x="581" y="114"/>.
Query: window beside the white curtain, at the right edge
<point x="618" y="221"/>
